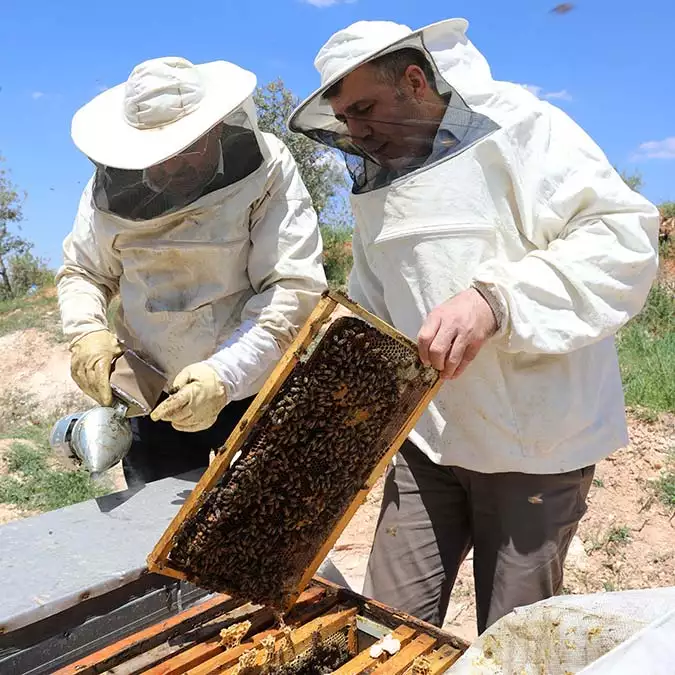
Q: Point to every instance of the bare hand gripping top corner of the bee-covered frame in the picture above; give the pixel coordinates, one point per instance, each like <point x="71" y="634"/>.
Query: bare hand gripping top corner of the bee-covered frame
<point x="454" y="332"/>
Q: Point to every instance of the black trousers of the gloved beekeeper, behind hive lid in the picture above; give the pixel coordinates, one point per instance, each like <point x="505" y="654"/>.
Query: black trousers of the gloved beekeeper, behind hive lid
<point x="158" y="450"/>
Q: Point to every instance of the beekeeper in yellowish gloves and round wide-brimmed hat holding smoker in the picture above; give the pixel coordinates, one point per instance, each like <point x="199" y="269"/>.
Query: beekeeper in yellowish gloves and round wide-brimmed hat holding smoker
<point x="203" y="226"/>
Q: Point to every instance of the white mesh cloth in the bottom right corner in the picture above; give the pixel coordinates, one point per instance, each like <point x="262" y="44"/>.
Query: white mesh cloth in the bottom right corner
<point x="566" y="634"/>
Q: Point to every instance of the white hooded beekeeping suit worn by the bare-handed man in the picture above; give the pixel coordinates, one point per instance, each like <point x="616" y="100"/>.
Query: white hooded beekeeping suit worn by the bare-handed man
<point x="523" y="204"/>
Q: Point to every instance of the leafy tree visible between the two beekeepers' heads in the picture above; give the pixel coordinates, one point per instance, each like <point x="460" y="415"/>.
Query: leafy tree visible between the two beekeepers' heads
<point x="319" y="172"/>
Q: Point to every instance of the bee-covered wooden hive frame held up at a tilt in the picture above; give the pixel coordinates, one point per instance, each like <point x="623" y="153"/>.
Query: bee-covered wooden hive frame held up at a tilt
<point x="288" y="480"/>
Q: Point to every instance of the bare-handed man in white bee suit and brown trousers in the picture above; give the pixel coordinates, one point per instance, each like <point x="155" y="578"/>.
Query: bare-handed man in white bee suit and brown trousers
<point x="493" y="230"/>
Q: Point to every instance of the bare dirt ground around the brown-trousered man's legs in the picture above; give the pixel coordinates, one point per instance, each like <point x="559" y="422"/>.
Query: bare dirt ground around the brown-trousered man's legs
<point x="626" y="539"/>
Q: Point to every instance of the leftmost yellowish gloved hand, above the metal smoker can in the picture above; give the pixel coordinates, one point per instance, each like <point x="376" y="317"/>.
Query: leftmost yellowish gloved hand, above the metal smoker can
<point x="91" y="362"/>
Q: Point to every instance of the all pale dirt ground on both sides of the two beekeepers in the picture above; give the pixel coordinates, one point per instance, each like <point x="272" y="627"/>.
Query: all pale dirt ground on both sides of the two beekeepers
<point x="626" y="540"/>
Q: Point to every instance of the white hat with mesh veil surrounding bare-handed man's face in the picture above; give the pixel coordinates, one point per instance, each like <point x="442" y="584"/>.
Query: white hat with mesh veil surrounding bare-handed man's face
<point x="447" y="51"/>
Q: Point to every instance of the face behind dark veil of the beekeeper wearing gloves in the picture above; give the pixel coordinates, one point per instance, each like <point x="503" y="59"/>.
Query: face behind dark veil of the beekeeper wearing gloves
<point x="190" y="170"/>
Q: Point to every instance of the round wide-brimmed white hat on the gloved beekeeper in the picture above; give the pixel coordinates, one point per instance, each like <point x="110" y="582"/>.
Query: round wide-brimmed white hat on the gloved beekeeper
<point x="164" y="107"/>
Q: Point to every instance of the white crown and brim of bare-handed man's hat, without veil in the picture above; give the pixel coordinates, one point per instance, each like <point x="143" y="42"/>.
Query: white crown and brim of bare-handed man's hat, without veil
<point x="355" y="45"/>
